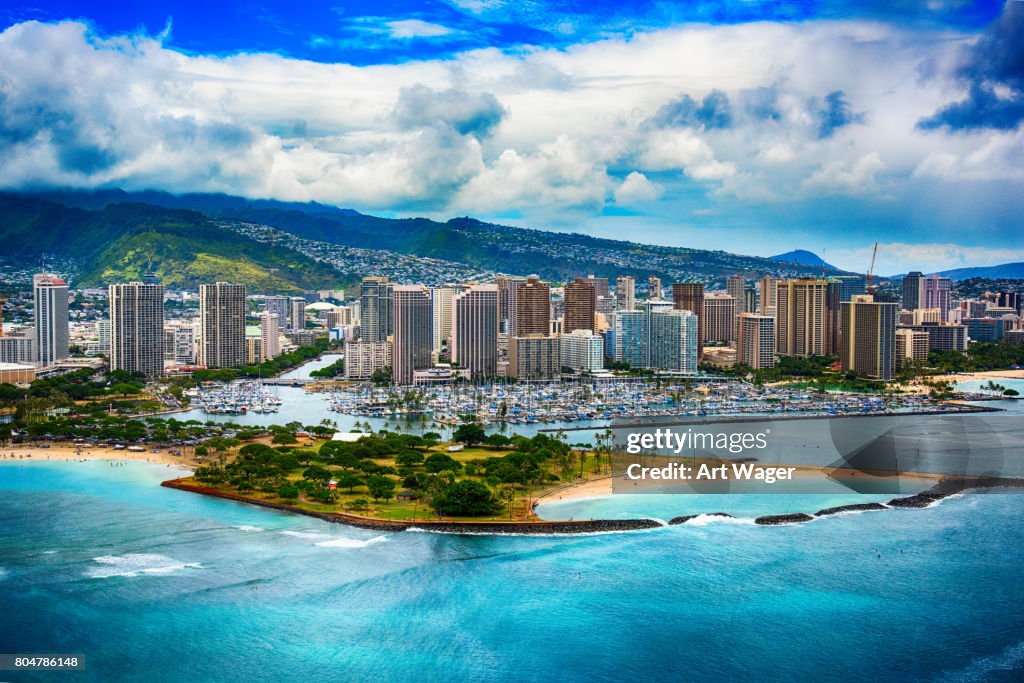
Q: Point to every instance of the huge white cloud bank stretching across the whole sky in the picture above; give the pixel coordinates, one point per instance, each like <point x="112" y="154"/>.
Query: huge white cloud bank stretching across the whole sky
<point x="740" y="113"/>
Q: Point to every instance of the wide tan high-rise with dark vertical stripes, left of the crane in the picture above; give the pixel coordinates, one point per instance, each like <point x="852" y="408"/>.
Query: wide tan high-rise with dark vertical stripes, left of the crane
<point x="806" y="320"/>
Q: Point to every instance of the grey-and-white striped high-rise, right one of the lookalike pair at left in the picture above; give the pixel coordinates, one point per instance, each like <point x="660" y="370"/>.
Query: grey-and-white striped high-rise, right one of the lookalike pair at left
<point x="223" y="325"/>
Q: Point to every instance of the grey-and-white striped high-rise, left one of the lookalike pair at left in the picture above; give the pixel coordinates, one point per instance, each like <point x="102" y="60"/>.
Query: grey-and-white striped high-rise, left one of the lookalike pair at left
<point x="138" y="329"/>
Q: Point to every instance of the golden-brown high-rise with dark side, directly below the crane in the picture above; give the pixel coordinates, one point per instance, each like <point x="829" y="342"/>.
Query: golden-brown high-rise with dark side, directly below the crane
<point x="869" y="344"/>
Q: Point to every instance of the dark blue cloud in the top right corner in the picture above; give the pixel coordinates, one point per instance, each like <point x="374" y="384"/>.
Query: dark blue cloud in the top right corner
<point x="994" y="73"/>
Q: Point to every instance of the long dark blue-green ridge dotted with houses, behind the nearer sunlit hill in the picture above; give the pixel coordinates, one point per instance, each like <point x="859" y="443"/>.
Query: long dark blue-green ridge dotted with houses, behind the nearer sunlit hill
<point x="488" y="246"/>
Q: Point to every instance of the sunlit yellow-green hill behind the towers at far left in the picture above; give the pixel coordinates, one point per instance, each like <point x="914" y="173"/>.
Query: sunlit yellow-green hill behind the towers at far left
<point x="120" y="242"/>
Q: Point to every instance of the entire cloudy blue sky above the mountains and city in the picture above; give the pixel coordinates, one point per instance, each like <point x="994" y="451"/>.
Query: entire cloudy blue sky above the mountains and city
<point x="755" y="127"/>
